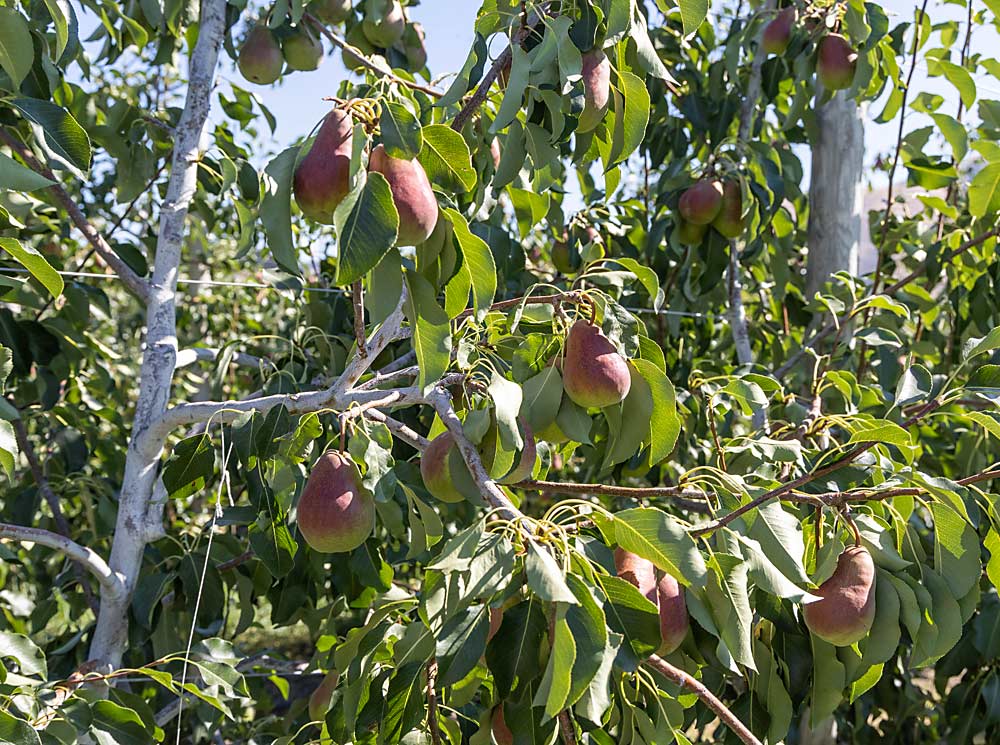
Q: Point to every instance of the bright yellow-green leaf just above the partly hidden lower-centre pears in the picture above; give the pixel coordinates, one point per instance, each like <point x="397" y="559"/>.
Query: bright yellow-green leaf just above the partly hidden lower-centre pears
<point x="660" y="538"/>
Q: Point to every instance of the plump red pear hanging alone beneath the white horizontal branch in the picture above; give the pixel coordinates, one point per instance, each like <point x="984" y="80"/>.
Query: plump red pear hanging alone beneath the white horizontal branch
<point x="336" y="512"/>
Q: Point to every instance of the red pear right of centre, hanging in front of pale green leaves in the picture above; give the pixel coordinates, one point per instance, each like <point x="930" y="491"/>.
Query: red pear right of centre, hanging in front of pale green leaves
<point x="594" y="374"/>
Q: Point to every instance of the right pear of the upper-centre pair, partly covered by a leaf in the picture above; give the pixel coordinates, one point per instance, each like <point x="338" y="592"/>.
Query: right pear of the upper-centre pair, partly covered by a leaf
<point x="412" y="194"/>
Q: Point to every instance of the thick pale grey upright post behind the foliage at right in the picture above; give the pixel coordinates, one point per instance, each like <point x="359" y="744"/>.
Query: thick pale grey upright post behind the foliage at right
<point x="836" y="191"/>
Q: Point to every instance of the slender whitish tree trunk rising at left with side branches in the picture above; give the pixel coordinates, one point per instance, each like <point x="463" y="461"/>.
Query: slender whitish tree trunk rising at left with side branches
<point x="139" y="515"/>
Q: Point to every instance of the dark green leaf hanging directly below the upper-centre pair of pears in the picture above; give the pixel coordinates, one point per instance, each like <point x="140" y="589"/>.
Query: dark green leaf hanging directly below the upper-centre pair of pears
<point x="367" y="224"/>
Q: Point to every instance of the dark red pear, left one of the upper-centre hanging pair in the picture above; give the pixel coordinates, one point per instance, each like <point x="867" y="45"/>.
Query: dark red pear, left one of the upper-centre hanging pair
<point x="323" y="177"/>
